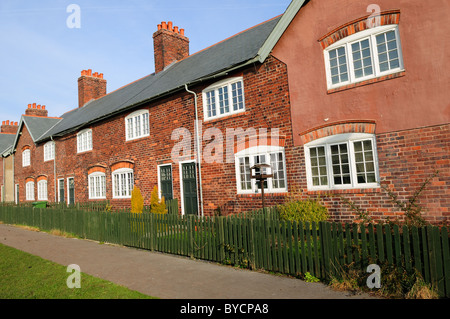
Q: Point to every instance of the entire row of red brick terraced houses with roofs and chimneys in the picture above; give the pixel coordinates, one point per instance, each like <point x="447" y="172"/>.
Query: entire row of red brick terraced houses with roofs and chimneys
<point x="333" y="94"/>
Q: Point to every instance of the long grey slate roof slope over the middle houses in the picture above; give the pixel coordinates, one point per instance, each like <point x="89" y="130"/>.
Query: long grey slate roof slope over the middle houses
<point x="223" y="56"/>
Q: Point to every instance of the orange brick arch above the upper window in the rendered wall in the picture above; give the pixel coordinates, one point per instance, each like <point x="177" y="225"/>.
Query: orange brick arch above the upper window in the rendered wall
<point x="360" y="24"/>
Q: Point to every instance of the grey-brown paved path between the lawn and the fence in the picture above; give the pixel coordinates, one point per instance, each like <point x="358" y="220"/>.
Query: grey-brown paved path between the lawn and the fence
<point x="161" y="275"/>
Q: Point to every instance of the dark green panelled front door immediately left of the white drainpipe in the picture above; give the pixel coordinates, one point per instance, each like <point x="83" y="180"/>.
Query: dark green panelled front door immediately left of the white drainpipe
<point x="189" y="188"/>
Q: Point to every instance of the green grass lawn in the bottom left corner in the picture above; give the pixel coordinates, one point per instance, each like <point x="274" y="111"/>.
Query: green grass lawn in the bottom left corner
<point x="25" y="276"/>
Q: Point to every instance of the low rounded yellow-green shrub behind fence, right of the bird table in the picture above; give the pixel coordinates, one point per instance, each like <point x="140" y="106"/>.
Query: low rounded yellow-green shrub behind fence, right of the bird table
<point x="303" y="211"/>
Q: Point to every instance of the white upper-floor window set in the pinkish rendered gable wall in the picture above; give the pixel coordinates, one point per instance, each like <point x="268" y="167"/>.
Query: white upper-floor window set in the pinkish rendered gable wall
<point x="365" y="55"/>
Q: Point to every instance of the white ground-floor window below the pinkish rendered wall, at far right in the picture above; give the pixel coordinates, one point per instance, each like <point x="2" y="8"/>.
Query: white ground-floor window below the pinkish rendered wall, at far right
<point x="342" y="161"/>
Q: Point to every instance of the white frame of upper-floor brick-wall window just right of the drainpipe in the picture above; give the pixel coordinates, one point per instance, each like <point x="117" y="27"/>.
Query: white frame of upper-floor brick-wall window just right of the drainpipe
<point x="215" y="89"/>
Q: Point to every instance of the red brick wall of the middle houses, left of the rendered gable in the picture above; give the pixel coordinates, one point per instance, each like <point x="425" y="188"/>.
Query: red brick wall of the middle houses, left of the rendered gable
<point x="267" y="106"/>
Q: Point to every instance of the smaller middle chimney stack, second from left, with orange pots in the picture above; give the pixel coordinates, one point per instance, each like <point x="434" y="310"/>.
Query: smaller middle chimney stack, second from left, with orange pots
<point x="91" y="86"/>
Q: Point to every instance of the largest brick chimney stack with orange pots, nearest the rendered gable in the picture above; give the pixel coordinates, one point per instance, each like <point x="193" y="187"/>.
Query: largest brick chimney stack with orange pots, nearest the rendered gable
<point x="170" y="45"/>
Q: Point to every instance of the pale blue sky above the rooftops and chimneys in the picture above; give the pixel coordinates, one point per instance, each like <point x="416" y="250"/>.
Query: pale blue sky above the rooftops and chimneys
<point x="41" y="58"/>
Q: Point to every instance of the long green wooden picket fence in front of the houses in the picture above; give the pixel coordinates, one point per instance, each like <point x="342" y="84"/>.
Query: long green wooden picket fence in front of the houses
<point x="257" y="240"/>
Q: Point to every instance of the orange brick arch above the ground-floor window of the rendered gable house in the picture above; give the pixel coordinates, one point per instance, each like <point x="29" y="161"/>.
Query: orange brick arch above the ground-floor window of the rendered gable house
<point x="349" y="126"/>
